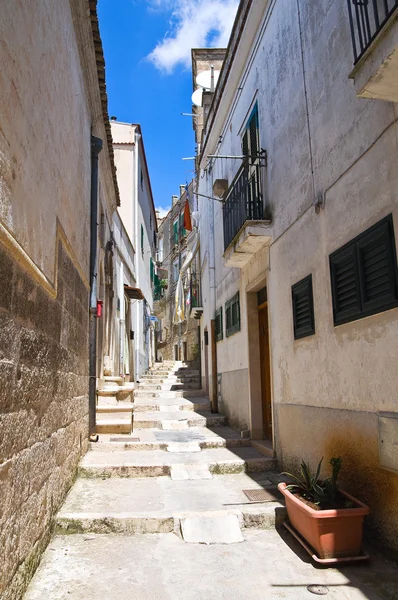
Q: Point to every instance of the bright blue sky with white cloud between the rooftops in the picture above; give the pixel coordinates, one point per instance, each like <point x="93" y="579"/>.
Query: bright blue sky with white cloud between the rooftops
<point x="147" y="46"/>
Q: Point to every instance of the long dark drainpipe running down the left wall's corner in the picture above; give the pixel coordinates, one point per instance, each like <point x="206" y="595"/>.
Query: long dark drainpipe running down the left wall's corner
<point x="96" y="147"/>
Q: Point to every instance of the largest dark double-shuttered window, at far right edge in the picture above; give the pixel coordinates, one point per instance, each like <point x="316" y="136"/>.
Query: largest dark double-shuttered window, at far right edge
<point x="364" y="274"/>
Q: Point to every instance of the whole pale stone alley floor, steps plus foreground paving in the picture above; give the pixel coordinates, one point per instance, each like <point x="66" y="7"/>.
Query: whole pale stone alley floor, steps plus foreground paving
<point x="162" y="514"/>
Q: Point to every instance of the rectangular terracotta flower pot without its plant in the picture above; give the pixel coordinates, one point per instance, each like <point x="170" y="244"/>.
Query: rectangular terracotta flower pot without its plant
<point x="335" y="533"/>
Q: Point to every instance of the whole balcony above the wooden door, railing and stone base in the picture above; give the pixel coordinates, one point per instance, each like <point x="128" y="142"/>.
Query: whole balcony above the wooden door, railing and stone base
<point x="245" y="229"/>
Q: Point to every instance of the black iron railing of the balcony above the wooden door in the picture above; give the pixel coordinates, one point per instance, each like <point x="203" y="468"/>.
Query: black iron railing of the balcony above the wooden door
<point x="244" y="201"/>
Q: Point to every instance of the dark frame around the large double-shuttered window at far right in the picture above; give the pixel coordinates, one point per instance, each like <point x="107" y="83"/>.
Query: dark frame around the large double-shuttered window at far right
<point x="365" y="307"/>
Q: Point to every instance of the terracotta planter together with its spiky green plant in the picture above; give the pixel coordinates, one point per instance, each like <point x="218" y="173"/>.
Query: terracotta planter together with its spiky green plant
<point x="329" y="519"/>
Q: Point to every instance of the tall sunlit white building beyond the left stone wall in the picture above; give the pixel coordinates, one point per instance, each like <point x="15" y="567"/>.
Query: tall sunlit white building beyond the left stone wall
<point x="137" y="213"/>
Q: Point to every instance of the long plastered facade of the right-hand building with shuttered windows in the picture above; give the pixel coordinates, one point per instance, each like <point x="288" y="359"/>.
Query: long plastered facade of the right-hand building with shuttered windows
<point x="298" y="244"/>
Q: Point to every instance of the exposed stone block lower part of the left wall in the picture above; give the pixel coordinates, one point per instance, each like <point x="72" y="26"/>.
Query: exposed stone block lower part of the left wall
<point x="43" y="408"/>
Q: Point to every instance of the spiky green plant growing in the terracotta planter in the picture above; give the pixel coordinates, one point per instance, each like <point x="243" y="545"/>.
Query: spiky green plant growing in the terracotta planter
<point x="312" y="488"/>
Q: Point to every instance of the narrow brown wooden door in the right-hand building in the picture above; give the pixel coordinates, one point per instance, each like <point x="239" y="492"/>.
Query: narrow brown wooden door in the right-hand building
<point x="265" y="370"/>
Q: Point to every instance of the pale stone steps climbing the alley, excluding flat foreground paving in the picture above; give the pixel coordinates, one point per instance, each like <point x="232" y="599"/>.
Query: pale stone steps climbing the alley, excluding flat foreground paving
<point x="181" y="470"/>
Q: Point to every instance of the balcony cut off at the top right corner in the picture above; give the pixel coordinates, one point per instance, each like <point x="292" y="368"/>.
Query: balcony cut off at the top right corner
<point x="374" y="34"/>
